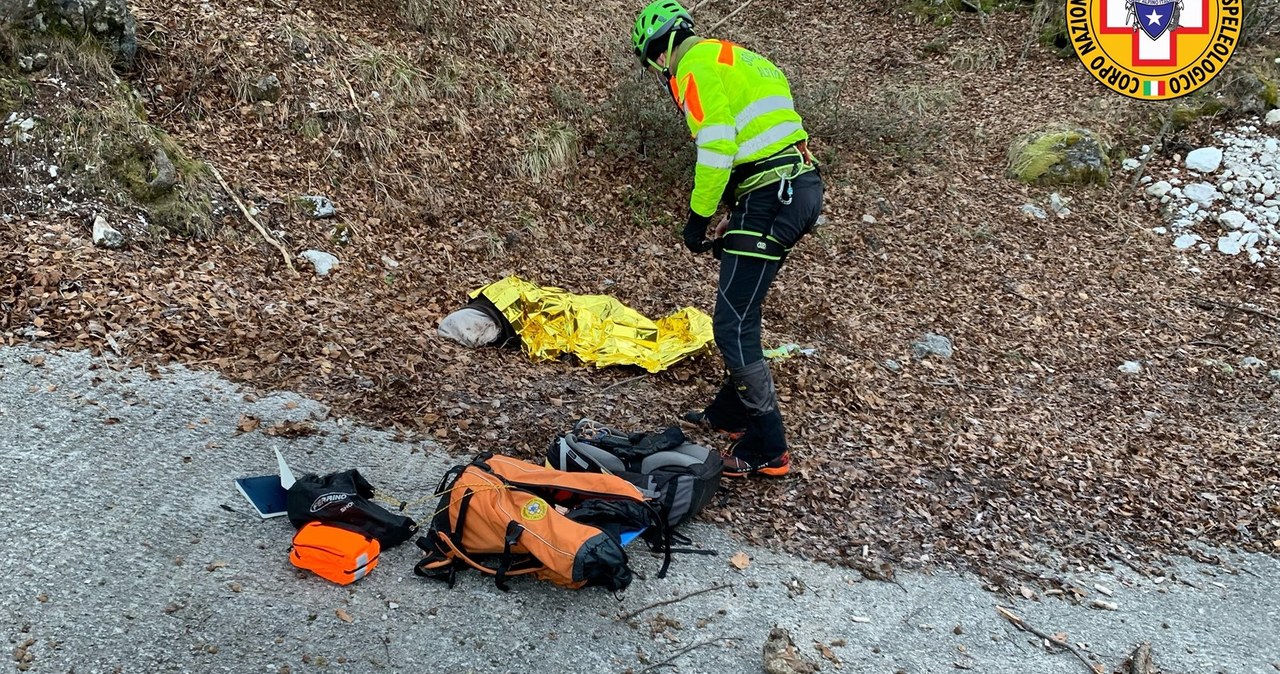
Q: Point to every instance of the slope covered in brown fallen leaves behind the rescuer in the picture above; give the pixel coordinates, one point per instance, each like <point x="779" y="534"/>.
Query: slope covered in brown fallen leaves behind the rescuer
<point x="1028" y="444"/>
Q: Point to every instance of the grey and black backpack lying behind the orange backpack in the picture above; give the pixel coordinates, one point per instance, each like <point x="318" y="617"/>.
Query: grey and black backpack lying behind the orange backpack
<point x="680" y="475"/>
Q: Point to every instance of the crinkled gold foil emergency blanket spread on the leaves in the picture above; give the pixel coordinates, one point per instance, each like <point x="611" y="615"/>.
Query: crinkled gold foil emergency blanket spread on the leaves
<point x="598" y="329"/>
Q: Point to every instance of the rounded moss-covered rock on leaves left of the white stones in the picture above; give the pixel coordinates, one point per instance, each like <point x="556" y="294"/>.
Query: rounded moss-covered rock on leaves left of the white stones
<point x="1063" y="157"/>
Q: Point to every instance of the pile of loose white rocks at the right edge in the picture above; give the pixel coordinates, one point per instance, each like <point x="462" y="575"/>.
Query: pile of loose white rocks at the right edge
<point x="1227" y="198"/>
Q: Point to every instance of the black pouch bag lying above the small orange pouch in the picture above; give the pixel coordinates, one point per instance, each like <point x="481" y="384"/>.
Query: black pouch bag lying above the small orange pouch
<point x="344" y="499"/>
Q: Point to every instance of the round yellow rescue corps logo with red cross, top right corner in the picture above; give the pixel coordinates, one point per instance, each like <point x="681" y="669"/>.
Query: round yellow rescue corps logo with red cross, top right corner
<point x="1154" y="49"/>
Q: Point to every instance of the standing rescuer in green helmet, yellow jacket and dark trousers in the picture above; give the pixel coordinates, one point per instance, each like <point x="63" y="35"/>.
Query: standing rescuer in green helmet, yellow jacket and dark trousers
<point x="753" y="158"/>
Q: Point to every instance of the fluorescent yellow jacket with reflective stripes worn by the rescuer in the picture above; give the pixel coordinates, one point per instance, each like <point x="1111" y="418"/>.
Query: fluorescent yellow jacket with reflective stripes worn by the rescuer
<point x="739" y="109"/>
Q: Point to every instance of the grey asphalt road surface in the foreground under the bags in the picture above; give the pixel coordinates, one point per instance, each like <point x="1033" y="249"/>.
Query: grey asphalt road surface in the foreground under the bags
<point x="129" y="549"/>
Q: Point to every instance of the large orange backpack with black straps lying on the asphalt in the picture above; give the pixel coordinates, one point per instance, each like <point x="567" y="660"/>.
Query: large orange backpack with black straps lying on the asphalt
<point x="506" y="517"/>
